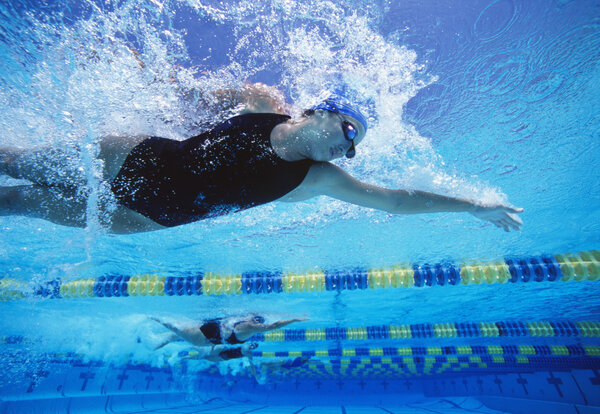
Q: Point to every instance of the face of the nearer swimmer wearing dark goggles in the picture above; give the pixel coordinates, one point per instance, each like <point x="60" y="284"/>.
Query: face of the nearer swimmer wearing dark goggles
<point x="331" y="134"/>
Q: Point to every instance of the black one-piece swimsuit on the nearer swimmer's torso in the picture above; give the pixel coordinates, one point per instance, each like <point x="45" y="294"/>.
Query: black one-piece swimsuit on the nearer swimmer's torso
<point x="228" y="168"/>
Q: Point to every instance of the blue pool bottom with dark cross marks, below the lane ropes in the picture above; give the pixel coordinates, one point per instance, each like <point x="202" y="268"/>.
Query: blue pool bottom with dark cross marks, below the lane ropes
<point x="88" y="388"/>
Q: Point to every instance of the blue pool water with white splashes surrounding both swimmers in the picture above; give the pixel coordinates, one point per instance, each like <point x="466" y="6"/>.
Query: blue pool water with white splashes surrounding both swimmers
<point x="494" y="100"/>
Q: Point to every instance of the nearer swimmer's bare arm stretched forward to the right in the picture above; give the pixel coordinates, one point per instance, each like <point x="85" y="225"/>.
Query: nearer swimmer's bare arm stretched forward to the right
<point x="330" y="180"/>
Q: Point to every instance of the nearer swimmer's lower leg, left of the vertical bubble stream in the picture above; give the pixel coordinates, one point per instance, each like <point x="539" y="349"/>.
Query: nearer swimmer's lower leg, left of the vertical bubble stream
<point x="42" y="202"/>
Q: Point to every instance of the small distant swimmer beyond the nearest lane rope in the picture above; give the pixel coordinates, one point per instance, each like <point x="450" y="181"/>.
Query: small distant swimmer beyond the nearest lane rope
<point x="227" y="331"/>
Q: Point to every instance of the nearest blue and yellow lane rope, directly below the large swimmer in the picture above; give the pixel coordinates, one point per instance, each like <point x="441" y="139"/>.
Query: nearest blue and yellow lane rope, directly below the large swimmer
<point x="582" y="266"/>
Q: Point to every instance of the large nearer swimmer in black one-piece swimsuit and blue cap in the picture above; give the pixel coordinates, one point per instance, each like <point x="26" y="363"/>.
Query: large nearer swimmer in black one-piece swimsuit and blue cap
<point x="246" y="161"/>
